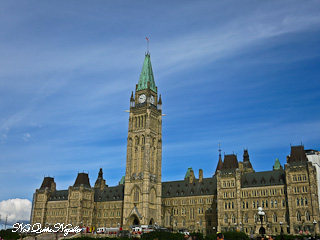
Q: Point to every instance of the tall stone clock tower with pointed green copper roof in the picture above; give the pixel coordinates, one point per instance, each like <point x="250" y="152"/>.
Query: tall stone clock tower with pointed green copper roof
<point x="142" y="191"/>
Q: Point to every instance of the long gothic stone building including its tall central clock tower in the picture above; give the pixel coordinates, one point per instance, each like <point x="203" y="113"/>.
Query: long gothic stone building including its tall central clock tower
<point x="228" y="200"/>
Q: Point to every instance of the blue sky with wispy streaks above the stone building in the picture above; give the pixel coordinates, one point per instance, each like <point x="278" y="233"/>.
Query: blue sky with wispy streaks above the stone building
<point x="242" y="73"/>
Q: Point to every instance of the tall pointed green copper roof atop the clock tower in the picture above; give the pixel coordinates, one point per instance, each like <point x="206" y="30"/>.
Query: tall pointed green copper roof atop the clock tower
<point x="146" y="75"/>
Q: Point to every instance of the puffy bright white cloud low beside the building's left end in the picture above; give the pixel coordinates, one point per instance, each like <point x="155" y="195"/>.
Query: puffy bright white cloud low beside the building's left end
<point x="16" y="210"/>
